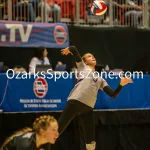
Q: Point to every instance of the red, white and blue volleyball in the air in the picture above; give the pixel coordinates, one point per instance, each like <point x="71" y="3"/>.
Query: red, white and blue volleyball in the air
<point x="98" y="7"/>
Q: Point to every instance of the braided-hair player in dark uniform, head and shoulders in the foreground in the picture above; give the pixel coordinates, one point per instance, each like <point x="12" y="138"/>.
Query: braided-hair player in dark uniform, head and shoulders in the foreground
<point x="43" y="134"/>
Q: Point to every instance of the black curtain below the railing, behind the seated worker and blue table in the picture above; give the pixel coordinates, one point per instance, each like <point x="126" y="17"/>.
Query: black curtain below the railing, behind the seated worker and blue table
<point x="124" y="48"/>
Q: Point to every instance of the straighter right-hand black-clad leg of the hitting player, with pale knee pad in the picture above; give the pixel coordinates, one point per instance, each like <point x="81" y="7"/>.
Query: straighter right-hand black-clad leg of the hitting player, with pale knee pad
<point x="87" y="121"/>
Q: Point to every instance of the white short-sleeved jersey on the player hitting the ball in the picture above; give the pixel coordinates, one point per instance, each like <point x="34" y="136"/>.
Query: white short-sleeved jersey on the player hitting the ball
<point x="87" y="87"/>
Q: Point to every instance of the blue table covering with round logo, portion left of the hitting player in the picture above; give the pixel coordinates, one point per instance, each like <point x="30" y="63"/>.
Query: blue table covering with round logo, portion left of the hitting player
<point x="34" y="94"/>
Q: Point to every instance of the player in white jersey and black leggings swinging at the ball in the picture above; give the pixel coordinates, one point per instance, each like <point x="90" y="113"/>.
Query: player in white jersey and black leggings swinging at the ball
<point x="83" y="97"/>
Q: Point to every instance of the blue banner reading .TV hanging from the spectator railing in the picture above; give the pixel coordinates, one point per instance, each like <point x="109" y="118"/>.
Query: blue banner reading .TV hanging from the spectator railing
<point x="23" y="34"/>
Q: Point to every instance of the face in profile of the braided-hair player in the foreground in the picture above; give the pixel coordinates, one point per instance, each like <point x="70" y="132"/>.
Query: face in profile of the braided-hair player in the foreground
<point x="51" y="133"/>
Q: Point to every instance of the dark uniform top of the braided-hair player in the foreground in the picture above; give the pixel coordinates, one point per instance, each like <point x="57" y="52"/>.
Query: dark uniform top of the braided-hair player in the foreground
<point x="25" y="141"/>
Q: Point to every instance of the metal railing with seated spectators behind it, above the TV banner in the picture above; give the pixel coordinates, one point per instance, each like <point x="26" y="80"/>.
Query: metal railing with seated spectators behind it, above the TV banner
<point x="123" y="13"/>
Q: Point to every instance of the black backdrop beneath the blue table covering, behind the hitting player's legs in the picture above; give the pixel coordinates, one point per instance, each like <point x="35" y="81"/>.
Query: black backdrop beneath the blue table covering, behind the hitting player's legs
<point x="115" y="130"/>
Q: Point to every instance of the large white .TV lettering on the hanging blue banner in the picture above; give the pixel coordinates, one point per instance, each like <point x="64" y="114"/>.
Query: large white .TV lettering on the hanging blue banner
<point x="15" y="31"/>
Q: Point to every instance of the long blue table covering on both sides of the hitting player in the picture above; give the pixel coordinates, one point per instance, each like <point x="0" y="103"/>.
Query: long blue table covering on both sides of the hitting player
<point x="29" y="93"/>
